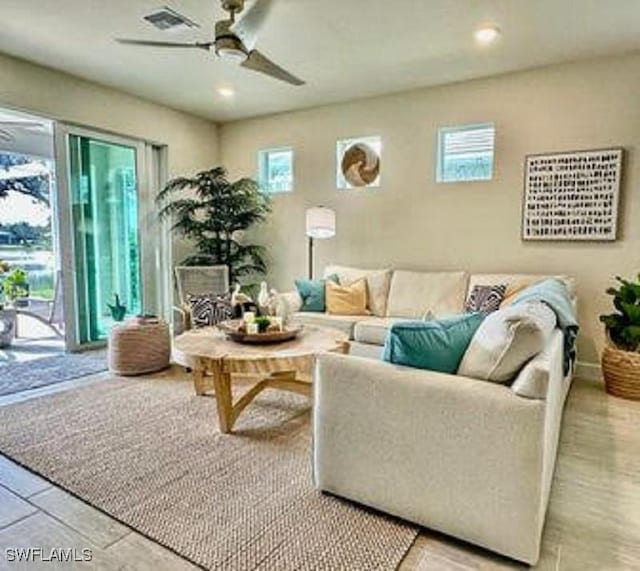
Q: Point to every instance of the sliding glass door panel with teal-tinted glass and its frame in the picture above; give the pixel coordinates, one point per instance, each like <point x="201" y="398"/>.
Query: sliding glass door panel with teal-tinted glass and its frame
<point x="99" y="210"/>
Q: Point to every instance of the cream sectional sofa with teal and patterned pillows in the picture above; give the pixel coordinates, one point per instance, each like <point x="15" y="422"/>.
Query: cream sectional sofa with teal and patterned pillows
<point x="471" y="458"/>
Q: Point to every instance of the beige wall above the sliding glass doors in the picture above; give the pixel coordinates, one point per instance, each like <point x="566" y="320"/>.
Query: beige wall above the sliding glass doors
<point x="192" y="142"/>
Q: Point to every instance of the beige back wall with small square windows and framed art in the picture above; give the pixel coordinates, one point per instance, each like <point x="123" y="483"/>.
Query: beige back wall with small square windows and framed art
<point x="412" y="222"/>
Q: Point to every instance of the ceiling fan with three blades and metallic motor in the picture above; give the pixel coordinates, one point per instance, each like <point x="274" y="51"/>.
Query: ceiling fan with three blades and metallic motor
<point x="235" y="40"/>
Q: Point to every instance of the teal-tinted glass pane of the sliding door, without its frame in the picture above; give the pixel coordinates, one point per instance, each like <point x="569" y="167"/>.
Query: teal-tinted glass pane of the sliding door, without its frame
<point x="103" y="189"/>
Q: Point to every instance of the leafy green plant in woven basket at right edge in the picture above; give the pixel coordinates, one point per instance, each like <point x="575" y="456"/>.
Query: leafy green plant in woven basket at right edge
<point x="621" y="356"/>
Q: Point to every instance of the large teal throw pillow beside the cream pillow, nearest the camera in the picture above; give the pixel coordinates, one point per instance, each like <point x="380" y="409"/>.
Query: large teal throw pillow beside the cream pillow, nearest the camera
<point x="436" y="345"/>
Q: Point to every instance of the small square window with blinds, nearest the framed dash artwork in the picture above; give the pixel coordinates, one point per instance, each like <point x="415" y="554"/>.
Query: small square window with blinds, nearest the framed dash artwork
<point x="465" y="153"/>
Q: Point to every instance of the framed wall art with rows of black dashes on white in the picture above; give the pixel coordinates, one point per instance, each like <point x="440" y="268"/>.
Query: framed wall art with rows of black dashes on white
<point x="572" y="196"/>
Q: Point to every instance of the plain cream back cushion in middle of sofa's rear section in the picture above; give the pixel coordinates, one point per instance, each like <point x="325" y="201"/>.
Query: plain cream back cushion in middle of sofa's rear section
<point x="415" y="294"/>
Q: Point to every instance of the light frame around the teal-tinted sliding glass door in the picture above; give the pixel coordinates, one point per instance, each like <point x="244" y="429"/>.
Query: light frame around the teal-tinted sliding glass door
<point x="67" y="246"/>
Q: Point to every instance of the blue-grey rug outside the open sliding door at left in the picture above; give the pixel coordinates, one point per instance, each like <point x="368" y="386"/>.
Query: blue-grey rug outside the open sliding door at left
<point x="27" y="375"/>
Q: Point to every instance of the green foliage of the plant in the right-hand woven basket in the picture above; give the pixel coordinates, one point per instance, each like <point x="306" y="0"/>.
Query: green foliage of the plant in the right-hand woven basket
<point x="624" y="325"/>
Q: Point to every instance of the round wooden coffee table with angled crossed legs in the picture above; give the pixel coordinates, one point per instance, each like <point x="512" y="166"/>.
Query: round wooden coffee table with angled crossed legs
<point x="288" y="366"/>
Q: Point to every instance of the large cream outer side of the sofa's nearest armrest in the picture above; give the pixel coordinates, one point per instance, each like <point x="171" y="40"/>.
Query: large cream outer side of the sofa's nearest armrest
<point x="454" y="454"/>
